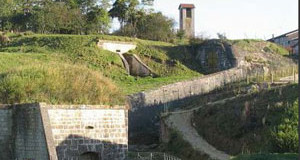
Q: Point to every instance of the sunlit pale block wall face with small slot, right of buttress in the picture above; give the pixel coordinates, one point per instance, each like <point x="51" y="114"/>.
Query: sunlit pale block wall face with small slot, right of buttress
<point x="77" y="132"/>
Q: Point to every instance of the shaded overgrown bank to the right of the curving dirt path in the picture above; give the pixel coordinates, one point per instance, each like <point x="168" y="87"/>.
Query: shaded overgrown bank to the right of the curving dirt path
<point x="260" y="122"/>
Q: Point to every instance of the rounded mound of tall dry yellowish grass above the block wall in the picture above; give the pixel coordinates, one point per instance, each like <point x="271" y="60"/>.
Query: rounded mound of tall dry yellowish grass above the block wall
<point x="57" y="84"/>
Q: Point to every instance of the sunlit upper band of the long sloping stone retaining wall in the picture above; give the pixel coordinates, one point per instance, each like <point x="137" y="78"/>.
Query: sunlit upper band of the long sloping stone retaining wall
<point x="184" y="89"/>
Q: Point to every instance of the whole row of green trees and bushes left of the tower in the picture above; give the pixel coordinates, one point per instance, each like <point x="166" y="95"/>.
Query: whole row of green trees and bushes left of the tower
<point x="85" y="17"/>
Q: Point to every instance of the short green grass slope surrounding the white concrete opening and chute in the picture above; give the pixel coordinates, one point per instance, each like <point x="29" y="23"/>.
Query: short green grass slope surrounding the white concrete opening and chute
<point x="167" y="60"/>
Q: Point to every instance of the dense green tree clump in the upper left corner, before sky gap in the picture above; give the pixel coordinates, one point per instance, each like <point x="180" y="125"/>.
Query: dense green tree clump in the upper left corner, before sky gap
<point x="53" y="16"/>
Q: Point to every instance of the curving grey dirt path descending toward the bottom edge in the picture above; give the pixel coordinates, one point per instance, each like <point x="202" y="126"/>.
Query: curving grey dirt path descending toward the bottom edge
<point x="182" y="123"/>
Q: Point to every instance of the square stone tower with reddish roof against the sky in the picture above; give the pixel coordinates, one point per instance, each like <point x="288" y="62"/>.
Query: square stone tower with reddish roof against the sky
<point x="187" y="19"/>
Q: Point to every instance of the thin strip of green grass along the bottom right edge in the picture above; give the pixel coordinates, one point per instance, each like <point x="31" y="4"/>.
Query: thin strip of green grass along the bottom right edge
<point x="274" y="156"/>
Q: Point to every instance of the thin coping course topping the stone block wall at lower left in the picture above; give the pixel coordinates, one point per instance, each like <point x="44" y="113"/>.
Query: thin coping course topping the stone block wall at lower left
<point x="49" y="106"/>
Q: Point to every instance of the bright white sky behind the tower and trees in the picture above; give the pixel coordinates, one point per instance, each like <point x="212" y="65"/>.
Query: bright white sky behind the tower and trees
<point x="238" y="19"/>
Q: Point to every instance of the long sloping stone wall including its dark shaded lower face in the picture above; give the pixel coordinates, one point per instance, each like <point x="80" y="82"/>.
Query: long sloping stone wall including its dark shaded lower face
<point x="146" y="106"/>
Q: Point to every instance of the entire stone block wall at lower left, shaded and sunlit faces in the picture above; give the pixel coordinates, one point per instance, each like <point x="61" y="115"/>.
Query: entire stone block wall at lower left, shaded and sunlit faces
<point x="40" y="132"/>
